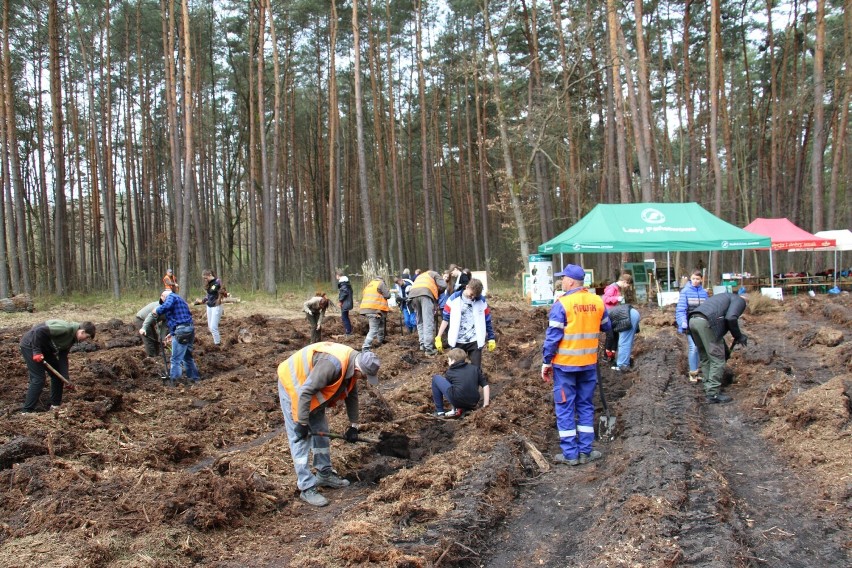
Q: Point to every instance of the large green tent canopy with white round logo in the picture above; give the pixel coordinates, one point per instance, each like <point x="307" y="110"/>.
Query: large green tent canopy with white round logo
<point x="651" y="227"/>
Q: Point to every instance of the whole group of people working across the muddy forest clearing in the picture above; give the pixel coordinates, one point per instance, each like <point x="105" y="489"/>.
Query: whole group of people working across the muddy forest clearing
<point x="320" y="374"/>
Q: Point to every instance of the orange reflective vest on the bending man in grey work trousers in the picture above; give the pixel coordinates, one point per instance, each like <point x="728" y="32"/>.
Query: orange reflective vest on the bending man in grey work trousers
<point x="293" y="373"/>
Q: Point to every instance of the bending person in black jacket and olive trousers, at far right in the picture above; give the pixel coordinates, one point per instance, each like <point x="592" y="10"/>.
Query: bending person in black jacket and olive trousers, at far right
<point x="708" y="325"/>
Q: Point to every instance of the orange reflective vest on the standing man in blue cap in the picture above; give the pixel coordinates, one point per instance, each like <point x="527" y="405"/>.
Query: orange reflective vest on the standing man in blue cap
<point x="579" y="345"/>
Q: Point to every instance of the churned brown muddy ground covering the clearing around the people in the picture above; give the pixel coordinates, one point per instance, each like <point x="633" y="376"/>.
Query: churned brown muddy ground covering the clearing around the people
<point x="132" y="473"/>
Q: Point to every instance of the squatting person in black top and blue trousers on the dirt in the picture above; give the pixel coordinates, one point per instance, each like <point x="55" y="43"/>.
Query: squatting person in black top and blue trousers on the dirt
<point x="459" y="386"/>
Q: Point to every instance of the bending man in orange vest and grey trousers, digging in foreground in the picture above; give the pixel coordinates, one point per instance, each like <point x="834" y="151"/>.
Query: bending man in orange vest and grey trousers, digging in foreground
<point x="310" y="380"/>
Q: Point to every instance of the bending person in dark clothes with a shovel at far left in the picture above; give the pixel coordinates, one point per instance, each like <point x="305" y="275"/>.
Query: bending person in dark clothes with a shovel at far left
<point x="46" y="344"/>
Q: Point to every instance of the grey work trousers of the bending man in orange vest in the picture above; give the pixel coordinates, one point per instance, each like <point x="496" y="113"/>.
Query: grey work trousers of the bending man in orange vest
<point x="299" y="449"/>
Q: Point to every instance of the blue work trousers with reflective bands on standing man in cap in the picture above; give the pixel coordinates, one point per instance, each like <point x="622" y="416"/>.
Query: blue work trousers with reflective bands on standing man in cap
<point x="575" y="412"/>
